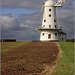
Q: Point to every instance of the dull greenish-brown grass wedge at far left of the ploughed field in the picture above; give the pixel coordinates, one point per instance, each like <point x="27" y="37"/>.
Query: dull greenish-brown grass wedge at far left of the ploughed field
<point x="8" y="46"/>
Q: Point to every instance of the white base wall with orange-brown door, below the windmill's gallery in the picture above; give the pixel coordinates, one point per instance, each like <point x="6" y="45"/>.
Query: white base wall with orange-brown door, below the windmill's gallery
<point x="46" y="34"/>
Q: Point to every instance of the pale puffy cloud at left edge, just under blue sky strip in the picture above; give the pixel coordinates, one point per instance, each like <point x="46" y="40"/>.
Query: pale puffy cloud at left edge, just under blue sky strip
<point x="8" y="22"/>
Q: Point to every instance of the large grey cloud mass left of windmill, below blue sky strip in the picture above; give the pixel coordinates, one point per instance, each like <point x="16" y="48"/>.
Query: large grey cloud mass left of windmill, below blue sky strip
<point x="20" y="28"/>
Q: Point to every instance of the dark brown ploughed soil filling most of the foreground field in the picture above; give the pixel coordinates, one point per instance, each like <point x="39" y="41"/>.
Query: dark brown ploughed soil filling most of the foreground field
<point x="29" y="59"/>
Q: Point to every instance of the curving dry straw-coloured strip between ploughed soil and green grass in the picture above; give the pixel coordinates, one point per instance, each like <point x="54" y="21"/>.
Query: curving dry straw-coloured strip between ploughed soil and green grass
<point x="49" y="70"/>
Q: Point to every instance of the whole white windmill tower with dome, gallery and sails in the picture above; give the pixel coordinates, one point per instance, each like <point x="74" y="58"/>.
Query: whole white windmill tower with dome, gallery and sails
<point x="50" y="30"/>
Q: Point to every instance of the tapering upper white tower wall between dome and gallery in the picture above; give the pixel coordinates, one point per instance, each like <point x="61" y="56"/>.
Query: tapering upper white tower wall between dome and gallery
<point x="50" y="17"/>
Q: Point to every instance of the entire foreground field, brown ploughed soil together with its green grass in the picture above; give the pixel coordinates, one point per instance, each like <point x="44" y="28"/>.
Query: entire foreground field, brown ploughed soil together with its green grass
<point x="37" y="58"/>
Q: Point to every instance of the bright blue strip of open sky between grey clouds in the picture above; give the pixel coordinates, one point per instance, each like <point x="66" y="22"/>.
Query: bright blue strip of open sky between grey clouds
<point x="17" y="12"/>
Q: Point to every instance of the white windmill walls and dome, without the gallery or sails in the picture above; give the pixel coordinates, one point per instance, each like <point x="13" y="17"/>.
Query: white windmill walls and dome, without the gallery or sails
<point x="49" y="21"/>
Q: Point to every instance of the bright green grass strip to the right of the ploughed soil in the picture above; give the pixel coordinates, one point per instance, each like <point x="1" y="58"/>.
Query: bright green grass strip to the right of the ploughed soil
<point x="66" y="62"/>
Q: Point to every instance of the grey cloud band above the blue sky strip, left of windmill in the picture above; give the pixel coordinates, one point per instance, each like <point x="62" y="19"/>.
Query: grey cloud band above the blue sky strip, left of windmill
<point x="28" y="4"/>
